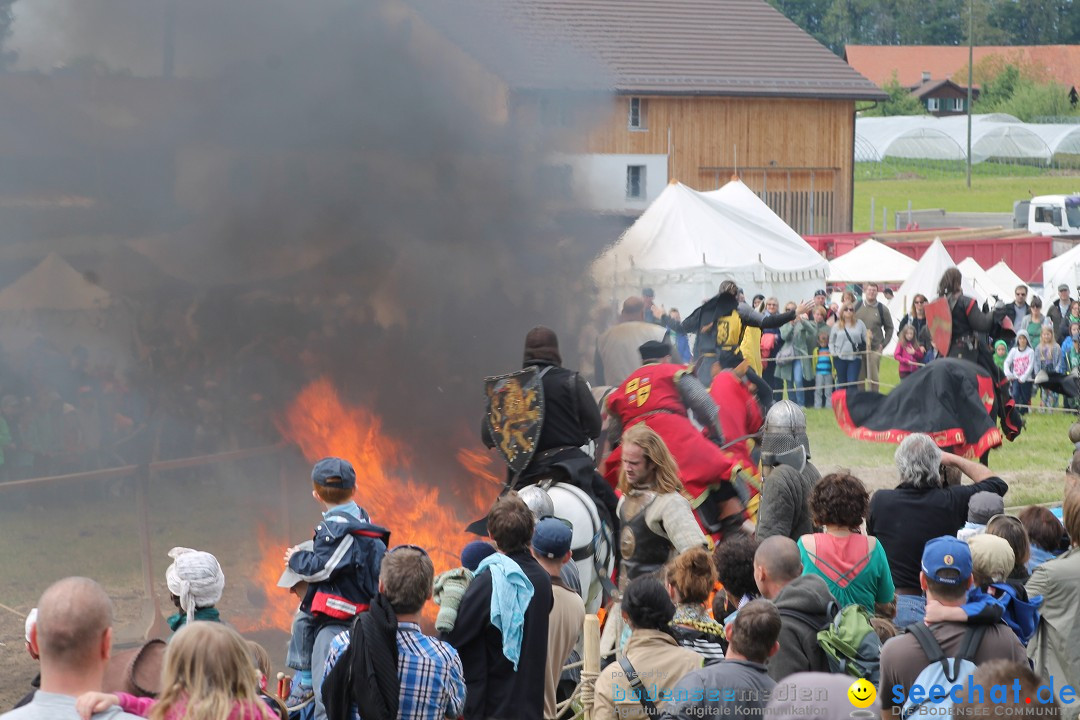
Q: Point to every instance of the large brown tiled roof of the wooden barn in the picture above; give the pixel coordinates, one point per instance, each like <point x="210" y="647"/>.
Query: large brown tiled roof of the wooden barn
<point x="677" y="47"/>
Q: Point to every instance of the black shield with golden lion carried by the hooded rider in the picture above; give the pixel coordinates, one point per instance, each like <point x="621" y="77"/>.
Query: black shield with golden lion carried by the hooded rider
<point x="516" y="415"/>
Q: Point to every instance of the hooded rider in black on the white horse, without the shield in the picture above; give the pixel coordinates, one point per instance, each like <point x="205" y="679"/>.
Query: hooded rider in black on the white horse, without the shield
<point x="572" y="419"/>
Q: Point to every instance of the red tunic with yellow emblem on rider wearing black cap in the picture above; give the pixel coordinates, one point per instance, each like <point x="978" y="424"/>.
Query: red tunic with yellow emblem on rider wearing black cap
<point x="651" y="396"/>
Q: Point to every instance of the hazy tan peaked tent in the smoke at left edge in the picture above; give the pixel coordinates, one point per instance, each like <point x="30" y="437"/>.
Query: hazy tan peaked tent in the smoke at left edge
<point x="53" y="286"/>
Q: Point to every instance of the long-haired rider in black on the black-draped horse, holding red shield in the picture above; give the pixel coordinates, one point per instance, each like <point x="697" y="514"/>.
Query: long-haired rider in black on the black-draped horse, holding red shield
<point x="971" y="328"/>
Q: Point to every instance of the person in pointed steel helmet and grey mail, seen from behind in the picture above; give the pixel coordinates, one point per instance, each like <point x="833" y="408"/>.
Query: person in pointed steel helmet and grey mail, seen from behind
<point x="788" y="476"/>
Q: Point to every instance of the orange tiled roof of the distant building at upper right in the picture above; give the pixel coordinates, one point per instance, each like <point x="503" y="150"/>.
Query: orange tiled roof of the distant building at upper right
<point x="1061" y="63"/>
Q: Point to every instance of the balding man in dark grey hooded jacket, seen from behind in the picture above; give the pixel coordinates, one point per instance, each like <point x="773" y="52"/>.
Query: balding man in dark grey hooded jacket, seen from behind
<point x="803" y="602"/>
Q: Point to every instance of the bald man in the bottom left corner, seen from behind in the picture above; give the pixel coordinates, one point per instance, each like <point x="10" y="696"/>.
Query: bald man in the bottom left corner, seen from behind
<point x="74" y="639"/>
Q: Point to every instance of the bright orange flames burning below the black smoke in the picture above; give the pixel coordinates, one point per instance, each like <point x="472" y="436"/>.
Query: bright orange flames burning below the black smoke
<point x="321" y="425"/>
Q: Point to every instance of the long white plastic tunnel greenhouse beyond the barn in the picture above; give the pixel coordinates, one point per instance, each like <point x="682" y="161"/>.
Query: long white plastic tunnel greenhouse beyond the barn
<point x="994" y="138"/>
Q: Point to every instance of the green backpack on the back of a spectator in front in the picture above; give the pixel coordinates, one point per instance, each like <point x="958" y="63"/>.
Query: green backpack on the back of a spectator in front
<point x="850" y="643"/>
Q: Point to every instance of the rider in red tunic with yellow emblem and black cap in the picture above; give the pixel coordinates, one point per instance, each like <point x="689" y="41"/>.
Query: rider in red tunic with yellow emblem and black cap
<point x="660" y="395"/>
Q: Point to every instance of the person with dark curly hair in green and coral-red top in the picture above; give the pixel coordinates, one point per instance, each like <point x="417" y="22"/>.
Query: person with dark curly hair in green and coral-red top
<point x="853" y="565"/>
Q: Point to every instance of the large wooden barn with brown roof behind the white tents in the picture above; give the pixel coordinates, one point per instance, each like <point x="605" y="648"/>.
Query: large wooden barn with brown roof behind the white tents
<point x="703" y="90"/>
